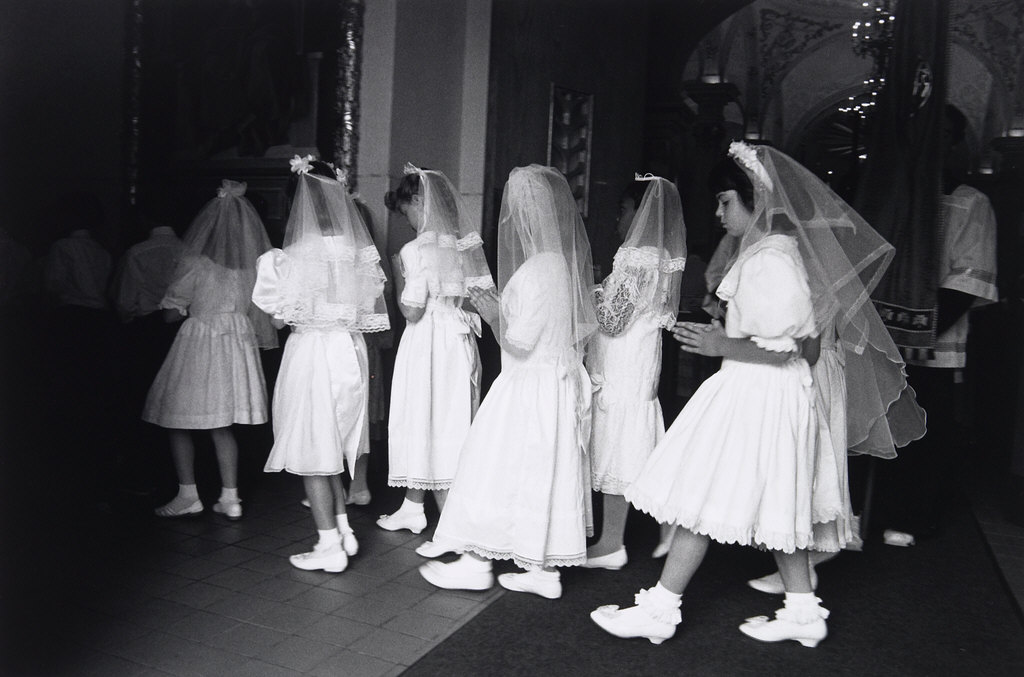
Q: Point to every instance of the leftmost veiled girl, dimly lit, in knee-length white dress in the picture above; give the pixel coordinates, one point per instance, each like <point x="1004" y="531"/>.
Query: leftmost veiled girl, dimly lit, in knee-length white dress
<point x="212" y="376"/>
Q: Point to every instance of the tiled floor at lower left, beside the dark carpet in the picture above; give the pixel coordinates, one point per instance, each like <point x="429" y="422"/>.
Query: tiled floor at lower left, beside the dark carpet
<point x="205" y="597"/>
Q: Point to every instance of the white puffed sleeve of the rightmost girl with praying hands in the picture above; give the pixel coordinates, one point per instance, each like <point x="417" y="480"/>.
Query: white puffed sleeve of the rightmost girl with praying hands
<point x="772" y="305"/>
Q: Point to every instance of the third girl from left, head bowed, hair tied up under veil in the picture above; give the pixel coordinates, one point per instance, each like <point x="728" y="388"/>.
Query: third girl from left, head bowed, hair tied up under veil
<point x="437" y="386"/>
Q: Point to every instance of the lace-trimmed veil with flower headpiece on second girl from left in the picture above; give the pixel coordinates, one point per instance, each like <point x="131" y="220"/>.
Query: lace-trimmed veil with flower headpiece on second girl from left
<point x="333" y="276"/>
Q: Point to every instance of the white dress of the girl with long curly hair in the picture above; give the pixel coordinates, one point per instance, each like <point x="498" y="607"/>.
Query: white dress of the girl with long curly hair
<point x="624" y="360"/>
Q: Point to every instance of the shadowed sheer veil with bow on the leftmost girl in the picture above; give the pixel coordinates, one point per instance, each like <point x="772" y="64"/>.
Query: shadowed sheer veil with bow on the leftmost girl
<point x="230" y="233"/>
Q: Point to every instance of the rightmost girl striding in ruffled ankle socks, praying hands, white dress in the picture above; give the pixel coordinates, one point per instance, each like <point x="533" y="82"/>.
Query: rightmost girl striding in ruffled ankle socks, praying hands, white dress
<point x="738" y="466"/>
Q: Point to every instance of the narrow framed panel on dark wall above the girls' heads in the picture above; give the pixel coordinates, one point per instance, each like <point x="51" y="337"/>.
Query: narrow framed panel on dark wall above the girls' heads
<point x="571" y="122"/>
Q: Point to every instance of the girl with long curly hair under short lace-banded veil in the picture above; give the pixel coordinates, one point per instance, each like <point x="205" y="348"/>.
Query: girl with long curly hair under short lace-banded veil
<point x="634" y="304"/>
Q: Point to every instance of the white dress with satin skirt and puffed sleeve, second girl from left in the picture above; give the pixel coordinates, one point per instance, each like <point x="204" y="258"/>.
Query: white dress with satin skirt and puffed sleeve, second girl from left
<point x="320" y="400"/>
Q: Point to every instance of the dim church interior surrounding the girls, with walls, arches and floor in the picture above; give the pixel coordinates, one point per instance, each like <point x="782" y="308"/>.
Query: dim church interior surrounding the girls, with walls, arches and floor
<point x="120" y="116"/>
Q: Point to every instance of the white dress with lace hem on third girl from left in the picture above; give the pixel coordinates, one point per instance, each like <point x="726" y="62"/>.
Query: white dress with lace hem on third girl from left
<point x="437" y="386"/>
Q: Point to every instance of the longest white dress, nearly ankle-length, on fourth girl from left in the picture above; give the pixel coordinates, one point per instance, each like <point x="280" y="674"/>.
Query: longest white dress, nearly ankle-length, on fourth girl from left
<point x="522" y="489"/>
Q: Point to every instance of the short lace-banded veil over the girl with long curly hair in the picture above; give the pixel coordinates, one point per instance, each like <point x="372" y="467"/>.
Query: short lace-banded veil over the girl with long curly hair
<point x="655" y="250"/>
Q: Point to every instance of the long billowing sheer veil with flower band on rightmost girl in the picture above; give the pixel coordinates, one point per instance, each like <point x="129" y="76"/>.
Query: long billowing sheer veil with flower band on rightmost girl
<point x="845" y="259"/>
